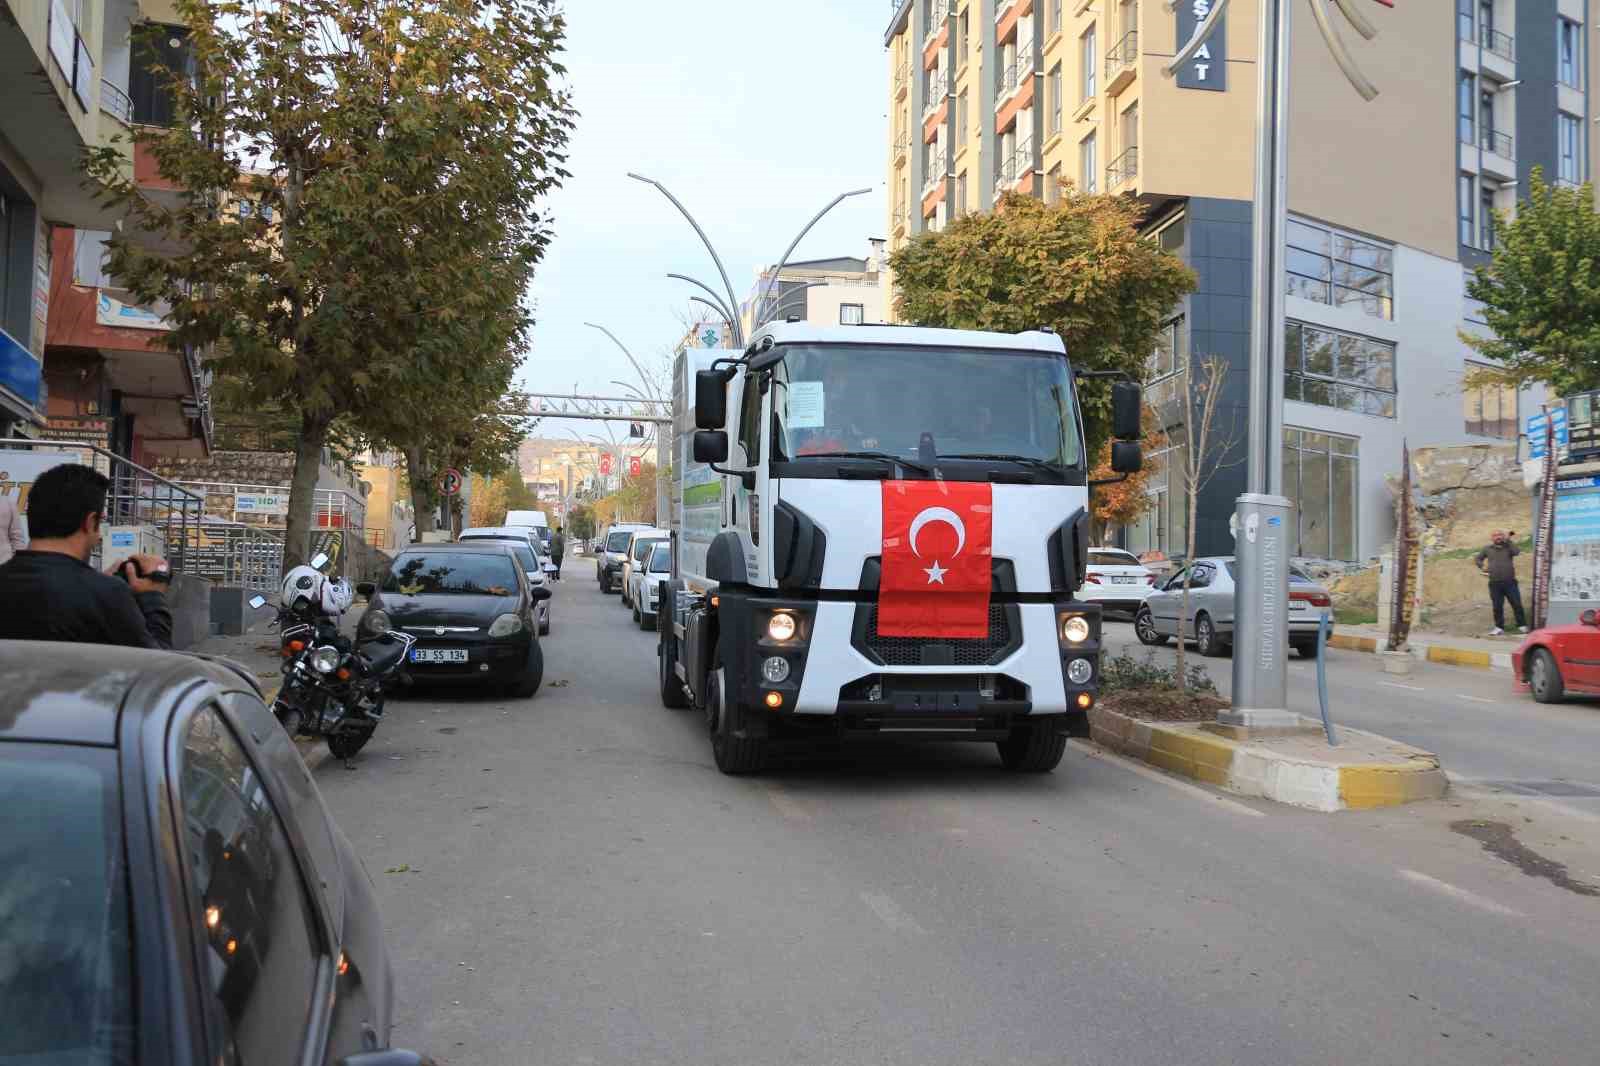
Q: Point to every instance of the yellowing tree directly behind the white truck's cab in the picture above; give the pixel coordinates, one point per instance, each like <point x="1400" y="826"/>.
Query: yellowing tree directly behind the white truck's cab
<point x="1078" y="266"/>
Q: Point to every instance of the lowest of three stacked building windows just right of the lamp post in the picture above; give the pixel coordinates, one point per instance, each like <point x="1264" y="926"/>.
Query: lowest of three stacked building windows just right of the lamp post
<point x="1321" y="479"/>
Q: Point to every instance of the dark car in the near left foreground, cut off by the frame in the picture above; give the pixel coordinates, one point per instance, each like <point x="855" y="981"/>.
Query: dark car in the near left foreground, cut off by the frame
<point x="172" y="886"/>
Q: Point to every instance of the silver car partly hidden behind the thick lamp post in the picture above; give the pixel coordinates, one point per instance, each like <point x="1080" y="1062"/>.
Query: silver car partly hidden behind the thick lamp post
<point x="1210" y="622"/>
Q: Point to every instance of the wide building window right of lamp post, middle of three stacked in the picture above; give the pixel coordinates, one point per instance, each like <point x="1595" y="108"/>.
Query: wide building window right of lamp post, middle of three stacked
<point x="1342" y="371"/>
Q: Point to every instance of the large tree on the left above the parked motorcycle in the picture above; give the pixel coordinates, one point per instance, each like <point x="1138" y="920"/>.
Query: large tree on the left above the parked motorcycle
<point x="394" y="154"/>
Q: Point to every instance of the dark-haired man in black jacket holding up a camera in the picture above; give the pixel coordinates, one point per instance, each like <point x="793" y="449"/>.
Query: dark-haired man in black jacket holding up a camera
<point x="50" y="591"/>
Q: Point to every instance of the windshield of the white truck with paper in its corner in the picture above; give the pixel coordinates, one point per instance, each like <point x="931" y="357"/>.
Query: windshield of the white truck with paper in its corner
<point x="970" y="403"/>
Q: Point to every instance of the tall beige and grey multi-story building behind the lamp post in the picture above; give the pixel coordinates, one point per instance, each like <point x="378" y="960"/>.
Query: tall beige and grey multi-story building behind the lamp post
<point x="1393" y="204"/>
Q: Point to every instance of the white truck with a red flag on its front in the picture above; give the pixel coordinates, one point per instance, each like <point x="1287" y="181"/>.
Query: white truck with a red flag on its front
<point x="881" y="532"/>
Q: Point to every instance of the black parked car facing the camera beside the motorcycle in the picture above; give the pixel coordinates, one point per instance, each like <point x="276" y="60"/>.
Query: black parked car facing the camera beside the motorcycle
<point x="471" y="609"/>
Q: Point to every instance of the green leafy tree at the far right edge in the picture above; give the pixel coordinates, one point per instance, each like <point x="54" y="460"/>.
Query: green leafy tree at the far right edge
<point x="1542" y="292"/>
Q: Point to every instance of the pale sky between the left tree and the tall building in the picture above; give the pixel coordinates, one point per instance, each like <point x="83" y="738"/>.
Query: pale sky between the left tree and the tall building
<point x="754" y="114"/>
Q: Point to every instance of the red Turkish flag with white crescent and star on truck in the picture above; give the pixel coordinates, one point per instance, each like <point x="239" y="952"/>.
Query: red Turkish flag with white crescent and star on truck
<point x="938" y="542"/>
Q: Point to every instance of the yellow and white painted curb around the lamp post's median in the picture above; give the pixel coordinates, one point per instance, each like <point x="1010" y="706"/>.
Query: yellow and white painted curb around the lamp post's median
<point x="1257" y="771"/>
